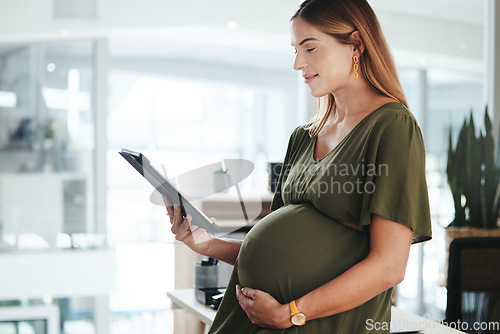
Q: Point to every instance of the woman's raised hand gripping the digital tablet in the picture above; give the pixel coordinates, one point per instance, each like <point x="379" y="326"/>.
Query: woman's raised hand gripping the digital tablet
<point x="193" y="236"/>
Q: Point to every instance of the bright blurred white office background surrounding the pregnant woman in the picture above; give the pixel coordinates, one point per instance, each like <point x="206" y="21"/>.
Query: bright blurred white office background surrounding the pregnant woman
<point x="188" y="83"/>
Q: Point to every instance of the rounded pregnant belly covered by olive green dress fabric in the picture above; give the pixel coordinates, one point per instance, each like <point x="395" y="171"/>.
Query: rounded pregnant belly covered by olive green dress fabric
<point x="296" y="249"/>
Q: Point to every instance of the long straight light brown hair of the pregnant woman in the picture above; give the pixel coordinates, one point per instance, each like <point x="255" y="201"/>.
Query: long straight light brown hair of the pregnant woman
<point x="340" y="18"/>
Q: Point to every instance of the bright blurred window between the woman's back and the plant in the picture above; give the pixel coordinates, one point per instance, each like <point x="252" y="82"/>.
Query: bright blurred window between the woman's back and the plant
<point x="439" y="99"/>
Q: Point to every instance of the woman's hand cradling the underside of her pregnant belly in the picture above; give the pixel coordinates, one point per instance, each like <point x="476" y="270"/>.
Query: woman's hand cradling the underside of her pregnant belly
<point x="262" y="309"/>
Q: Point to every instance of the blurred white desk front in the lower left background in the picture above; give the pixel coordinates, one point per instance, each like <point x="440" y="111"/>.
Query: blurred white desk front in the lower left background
<point x="59" y="273"/>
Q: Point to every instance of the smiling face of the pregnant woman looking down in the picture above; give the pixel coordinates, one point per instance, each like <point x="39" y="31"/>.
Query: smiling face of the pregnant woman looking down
<point x="326" y="64"/>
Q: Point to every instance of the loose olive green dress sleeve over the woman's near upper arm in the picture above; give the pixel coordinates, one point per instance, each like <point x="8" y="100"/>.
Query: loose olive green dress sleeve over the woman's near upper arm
<point x="399" y="187"/>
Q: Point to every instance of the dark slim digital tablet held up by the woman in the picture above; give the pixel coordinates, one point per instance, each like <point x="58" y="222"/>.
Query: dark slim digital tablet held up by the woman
<point x="164" y="187"/>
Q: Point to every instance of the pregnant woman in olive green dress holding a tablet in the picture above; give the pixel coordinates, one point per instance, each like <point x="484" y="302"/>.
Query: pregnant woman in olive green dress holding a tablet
<point x="351" y="198"/>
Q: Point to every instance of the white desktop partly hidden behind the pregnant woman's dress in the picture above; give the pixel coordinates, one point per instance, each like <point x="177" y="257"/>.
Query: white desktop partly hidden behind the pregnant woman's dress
<point x="185" y="299"/>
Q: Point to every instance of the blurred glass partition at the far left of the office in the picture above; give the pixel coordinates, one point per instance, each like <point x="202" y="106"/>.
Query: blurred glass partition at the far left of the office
<point x="47" y="149"/>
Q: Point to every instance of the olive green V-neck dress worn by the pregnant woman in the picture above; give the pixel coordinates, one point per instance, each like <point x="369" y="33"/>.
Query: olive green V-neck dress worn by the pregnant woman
<point x="378" y="168"/>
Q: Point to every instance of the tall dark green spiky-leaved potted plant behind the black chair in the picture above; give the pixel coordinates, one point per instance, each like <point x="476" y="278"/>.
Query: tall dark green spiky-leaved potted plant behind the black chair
<point x="474" y="178"/>
